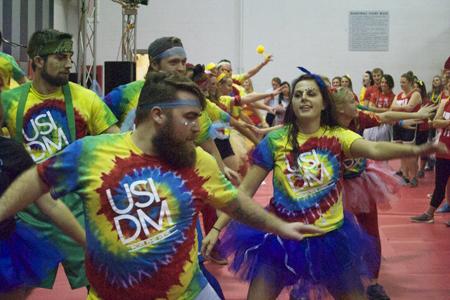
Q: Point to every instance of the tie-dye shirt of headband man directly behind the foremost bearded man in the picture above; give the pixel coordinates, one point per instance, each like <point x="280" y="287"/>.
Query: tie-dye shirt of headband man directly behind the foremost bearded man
<point x="124" y="99"/>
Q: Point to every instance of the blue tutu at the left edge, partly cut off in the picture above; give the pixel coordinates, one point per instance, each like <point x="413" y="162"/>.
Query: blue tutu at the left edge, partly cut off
<point x="25" y="258"/>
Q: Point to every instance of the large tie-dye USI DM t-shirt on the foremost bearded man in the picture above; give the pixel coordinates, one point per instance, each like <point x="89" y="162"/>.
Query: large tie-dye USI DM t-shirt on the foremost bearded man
<point x="141" y="215"/>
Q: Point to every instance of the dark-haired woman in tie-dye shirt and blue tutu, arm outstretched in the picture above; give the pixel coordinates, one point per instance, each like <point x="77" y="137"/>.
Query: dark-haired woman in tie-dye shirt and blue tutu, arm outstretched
<point x="306" y="157"/>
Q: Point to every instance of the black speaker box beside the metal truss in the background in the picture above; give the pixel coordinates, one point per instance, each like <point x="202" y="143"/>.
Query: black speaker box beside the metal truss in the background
<point x="118" y="73"/>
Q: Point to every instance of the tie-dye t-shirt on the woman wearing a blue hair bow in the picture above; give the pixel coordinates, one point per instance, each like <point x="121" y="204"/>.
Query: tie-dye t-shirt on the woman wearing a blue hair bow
<point x="312" y="191"/>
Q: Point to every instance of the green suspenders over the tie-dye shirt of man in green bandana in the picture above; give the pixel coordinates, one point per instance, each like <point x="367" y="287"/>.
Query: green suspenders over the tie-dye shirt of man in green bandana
<point x="21" y="108"/>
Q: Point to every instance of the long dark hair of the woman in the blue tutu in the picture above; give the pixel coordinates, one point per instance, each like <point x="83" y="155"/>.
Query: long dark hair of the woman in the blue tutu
<point x="326" y="117"/>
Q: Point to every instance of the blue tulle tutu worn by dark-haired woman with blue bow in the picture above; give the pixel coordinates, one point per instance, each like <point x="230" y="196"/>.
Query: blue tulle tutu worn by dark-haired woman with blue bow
<point x="336" y="261"/>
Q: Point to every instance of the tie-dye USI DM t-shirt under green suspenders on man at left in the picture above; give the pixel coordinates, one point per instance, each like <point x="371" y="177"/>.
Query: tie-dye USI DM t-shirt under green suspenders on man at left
<point x="45" y="126"/>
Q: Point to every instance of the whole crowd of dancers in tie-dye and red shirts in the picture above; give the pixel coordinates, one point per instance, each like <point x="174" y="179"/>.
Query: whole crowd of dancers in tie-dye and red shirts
<point x="113" y="188"/>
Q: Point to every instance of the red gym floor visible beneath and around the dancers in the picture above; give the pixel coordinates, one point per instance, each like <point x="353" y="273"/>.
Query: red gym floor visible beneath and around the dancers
<point x="416" y="257"/>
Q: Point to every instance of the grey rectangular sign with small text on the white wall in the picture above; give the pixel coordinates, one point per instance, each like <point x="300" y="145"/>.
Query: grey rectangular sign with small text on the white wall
<point x="369" y="30"/>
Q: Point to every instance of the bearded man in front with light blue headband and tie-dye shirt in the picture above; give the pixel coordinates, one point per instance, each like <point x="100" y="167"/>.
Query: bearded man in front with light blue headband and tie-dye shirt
<point x="142" y="191"/>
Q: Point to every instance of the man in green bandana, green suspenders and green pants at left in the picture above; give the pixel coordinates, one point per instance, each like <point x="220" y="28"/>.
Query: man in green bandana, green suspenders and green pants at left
<point x="46" y="115"/>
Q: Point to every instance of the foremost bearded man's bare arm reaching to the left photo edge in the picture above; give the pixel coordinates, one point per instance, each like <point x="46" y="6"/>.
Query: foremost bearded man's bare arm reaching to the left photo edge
<point x="23" y="191"/>
